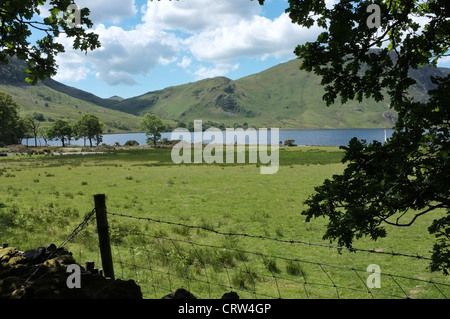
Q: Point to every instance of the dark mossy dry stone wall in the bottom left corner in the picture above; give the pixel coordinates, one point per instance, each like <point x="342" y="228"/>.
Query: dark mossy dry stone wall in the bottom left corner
<point x="41" y="273"/>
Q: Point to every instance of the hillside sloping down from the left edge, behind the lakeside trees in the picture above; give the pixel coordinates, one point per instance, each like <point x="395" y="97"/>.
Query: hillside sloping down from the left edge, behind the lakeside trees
<point x="51" y="100"/>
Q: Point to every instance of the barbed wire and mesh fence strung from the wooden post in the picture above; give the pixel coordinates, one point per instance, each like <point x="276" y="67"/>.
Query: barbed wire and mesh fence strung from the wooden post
<point x="163" y="256"/>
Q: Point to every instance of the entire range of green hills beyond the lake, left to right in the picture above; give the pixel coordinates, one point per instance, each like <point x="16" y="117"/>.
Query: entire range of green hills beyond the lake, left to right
<point x="282" y="96"/>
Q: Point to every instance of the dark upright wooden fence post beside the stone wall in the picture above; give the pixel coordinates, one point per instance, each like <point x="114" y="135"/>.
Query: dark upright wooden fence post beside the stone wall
<point x="103" y="235"/>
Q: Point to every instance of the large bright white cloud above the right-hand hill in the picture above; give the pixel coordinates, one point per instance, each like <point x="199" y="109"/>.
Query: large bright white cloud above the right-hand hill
<point x="223" y="31"/>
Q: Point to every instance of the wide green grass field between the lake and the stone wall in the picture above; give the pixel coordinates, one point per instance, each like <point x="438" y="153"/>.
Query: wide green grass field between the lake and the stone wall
<point x="208" y="228"/>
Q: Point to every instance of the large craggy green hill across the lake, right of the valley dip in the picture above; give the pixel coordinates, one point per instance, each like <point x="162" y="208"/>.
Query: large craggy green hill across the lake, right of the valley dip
<point x="282" y="96"/>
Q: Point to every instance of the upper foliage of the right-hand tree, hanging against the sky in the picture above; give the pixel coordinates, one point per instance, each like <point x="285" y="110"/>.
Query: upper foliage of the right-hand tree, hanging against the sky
<point x="342" y="54"/>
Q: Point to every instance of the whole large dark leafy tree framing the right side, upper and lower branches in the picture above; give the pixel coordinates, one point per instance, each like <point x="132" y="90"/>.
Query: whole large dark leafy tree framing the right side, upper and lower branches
<point x="398" y="182"/>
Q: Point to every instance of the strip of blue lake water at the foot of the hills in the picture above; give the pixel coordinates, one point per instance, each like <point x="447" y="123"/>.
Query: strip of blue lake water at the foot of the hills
<point x="300" y="137"/>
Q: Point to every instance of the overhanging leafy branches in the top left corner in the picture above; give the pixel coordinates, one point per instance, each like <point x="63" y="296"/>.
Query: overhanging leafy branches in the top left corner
<point x="17" y="21"/>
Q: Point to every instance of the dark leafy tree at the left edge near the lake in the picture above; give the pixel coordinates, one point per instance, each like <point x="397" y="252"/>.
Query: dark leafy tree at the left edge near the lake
<point x="11" y="127"/>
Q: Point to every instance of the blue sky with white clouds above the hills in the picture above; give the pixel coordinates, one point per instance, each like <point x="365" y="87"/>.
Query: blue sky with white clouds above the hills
<point x="151" y="45"/>
